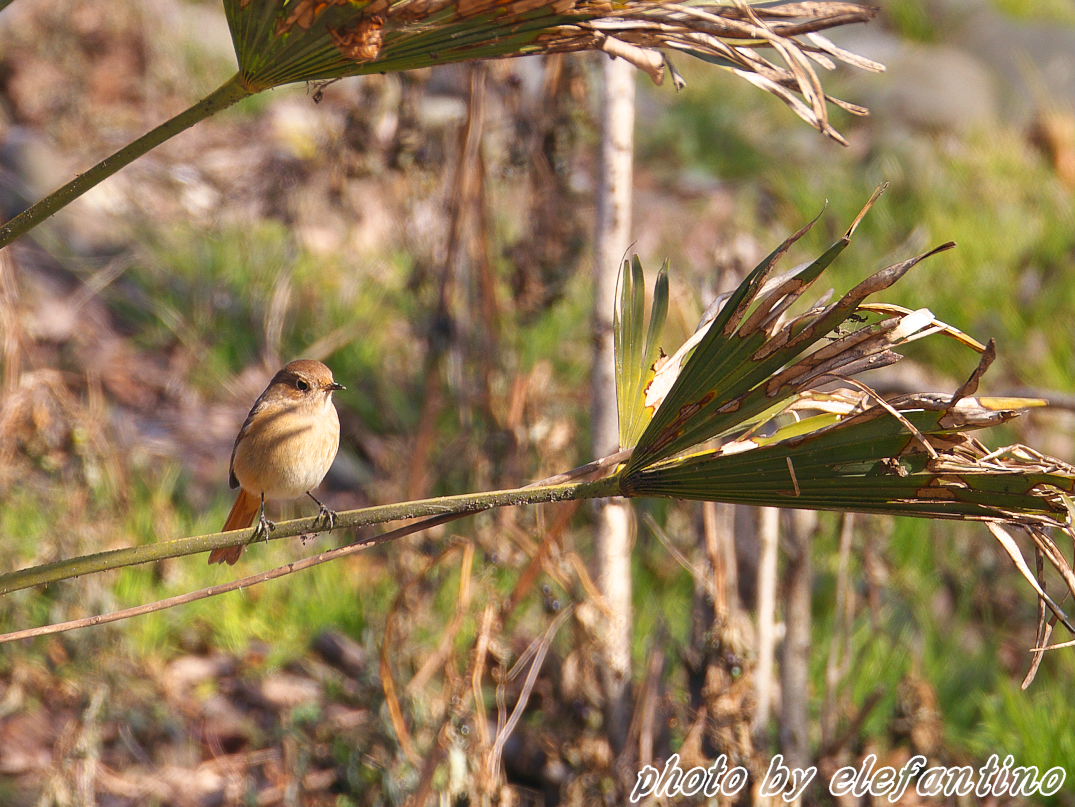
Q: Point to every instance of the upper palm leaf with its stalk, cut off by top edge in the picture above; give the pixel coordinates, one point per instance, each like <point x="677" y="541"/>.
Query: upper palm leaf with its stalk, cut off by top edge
<point x="279" y="44"/>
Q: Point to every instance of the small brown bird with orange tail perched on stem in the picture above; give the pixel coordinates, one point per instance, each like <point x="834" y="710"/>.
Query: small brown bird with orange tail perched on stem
<point x="284" y="450"/>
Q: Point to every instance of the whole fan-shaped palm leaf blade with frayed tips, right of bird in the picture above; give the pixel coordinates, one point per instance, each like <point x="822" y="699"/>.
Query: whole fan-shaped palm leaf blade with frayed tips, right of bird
<point x="762" y="408"/>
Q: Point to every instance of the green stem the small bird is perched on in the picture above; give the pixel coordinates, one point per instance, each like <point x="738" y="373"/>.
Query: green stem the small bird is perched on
<point x="442" y="507"/>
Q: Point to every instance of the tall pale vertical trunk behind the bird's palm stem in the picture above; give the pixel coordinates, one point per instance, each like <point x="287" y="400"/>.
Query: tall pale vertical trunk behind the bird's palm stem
<point x="614" y="524"/>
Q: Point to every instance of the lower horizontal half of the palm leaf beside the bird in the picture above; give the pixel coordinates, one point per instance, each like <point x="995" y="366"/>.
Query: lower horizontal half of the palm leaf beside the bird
<point x="919" y="462"/>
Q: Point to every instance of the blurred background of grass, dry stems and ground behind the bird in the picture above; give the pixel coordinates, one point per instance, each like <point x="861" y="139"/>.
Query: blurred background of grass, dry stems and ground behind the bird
<point x="139" y="325"/>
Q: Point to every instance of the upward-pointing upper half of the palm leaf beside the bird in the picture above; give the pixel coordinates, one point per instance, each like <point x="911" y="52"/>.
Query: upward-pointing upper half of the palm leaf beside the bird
<point x="748" y="342"/>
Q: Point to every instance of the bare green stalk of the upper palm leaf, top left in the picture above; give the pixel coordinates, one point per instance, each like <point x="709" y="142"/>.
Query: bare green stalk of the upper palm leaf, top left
<point x="233" y="91"/>
